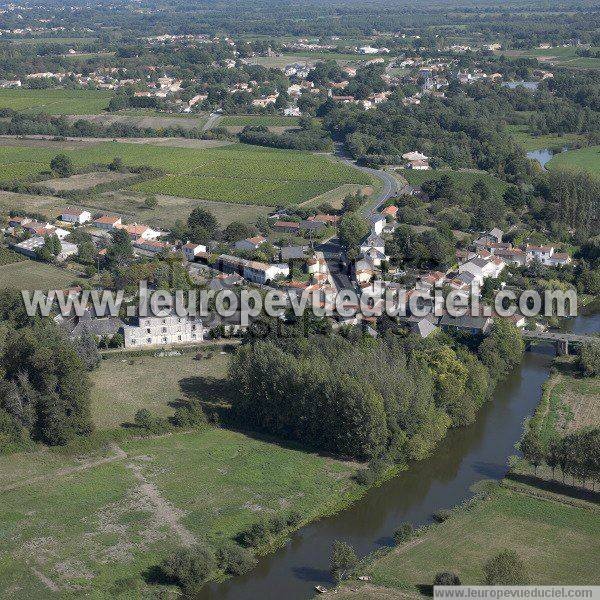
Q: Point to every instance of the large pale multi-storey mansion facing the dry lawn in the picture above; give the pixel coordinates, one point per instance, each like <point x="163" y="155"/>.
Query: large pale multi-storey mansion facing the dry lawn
<point x="163" y="331"/>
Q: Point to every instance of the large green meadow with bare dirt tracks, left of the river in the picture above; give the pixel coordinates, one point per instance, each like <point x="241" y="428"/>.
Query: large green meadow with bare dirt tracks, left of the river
<point x="92" y="526"/>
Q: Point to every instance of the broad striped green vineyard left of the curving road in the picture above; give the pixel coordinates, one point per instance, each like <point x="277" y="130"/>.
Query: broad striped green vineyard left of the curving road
<point x="235" y="173"/>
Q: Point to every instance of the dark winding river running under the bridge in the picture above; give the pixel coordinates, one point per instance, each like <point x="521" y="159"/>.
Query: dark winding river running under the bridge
<point x="464" y="457"/>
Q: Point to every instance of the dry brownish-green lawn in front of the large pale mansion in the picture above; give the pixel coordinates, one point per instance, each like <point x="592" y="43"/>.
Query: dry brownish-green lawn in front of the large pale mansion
<point x="123" y="385"/>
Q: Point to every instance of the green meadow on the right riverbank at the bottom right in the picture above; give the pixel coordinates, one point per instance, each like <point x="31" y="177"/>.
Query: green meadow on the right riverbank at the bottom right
<point x="558" y="543"/>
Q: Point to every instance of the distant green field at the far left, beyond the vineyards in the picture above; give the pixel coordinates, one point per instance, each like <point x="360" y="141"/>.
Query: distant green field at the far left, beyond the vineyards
<point x="56" y="102"/>
